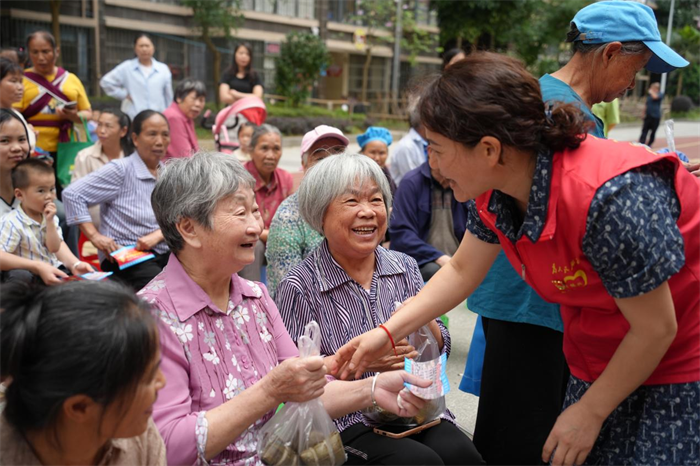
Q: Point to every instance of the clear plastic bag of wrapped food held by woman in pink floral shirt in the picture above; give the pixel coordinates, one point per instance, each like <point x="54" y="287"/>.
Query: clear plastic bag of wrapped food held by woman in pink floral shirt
<point x="302" y="434"/>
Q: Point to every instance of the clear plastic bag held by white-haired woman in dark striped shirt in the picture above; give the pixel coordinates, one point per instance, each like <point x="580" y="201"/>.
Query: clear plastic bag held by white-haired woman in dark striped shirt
<point x="427" y="347"/>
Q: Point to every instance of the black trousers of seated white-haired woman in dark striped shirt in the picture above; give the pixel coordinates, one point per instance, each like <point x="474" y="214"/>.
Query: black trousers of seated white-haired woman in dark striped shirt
<point x="441" y="445"/>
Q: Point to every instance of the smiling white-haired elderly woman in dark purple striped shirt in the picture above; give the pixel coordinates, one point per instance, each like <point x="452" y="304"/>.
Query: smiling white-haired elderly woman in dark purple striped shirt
<point x="349" y="285"/>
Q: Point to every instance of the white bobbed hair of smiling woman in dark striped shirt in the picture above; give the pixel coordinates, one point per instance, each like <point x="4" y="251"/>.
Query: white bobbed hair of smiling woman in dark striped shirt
<point x="334" y="176"/>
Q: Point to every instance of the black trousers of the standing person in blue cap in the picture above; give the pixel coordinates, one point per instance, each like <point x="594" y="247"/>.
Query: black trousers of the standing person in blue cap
<point x="523" y="384"/>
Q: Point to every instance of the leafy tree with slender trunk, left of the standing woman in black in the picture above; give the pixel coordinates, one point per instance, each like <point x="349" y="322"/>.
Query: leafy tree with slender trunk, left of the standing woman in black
<point x="215" y="17"/>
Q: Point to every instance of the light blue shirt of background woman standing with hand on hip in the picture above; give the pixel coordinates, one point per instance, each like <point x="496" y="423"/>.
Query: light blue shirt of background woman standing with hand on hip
<point x="148" y="92"/>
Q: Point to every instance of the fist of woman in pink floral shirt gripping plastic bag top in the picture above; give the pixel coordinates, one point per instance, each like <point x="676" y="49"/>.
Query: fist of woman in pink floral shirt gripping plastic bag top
<point x="296" y="380"/>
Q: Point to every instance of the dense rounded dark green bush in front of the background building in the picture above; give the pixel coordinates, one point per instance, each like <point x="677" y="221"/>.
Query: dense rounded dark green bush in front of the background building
<point x="302" y="56"/>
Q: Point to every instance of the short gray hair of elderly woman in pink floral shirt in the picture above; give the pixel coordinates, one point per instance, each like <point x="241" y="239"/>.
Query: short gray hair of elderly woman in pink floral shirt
<point x="191" y="187"/>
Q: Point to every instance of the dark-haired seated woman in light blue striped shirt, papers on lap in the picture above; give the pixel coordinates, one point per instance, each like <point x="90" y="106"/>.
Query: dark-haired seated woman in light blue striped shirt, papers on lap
<point x="123" y="189"/>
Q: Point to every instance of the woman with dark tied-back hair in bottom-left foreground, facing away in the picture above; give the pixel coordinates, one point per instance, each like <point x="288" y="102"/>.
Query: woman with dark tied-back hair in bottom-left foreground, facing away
<point x="81" y="368"/>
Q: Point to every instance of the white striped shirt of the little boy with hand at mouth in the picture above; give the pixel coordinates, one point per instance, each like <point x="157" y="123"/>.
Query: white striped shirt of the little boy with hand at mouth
<point x="23" y="236"/>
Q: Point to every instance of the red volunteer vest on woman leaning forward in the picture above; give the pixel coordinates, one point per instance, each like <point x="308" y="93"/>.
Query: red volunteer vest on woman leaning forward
<point x="557" y="269"/>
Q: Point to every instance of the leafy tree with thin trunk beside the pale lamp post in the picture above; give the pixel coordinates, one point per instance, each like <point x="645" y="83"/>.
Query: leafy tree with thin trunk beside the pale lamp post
<point x="378" y="17"/>
